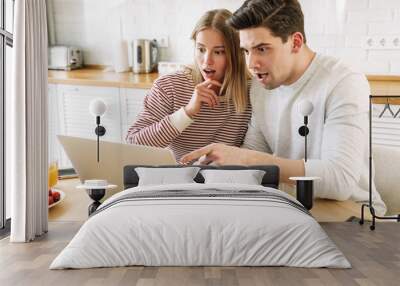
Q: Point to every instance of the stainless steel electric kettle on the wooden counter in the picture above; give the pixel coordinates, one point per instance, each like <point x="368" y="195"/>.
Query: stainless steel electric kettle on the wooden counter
<point x="145" y="55"/>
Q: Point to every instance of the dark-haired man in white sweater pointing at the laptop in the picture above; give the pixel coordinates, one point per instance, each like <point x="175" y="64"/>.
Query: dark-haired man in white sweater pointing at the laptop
<point x="286" y="71"/>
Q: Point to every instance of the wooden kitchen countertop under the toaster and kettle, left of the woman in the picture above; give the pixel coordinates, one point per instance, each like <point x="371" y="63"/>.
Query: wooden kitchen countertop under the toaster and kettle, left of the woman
<point x="95" y="76"/>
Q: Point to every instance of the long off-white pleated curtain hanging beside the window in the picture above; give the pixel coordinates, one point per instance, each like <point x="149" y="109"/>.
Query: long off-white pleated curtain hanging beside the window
<point x="26" y="123"/>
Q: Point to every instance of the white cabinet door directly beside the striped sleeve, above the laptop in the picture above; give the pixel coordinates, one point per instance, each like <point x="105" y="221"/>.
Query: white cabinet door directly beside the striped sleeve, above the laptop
<point x="131" y="105"/>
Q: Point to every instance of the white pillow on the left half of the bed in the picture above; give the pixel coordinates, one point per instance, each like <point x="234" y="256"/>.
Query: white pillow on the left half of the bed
<point x="164" y="176"/>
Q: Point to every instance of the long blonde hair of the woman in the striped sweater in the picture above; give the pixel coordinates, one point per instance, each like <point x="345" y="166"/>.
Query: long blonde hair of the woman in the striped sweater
<point x="236" y="77"/>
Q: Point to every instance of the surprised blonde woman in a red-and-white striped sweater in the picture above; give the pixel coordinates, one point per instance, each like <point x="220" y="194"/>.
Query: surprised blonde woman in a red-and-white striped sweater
<point x="205" y="104"/>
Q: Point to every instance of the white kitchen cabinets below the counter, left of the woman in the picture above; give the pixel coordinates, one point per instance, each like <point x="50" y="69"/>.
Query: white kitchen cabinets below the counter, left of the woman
<point x="69" y="114"/>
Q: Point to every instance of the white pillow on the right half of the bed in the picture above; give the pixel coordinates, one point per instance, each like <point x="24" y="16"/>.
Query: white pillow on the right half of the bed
<point x="248" y="177"/>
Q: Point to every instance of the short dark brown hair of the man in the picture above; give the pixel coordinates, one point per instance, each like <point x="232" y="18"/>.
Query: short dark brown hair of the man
<point x="282" y="17"/>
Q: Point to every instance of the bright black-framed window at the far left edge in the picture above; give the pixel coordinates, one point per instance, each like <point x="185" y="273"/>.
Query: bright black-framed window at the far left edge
<point x="6" y="44"/>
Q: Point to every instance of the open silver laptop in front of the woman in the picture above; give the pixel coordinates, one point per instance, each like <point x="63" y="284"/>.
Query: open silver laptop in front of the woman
<point x="113" y="157"/>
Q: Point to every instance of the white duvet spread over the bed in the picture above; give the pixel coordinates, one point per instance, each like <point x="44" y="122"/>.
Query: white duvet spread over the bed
<point x="200" y="231"/>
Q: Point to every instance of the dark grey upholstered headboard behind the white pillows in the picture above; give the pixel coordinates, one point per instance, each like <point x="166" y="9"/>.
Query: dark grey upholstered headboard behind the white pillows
<point x="270" y="179"/>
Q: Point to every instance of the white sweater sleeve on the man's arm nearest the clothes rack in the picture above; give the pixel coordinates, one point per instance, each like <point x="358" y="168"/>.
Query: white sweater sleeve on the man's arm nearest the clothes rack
<point x="344" y="141"/>
